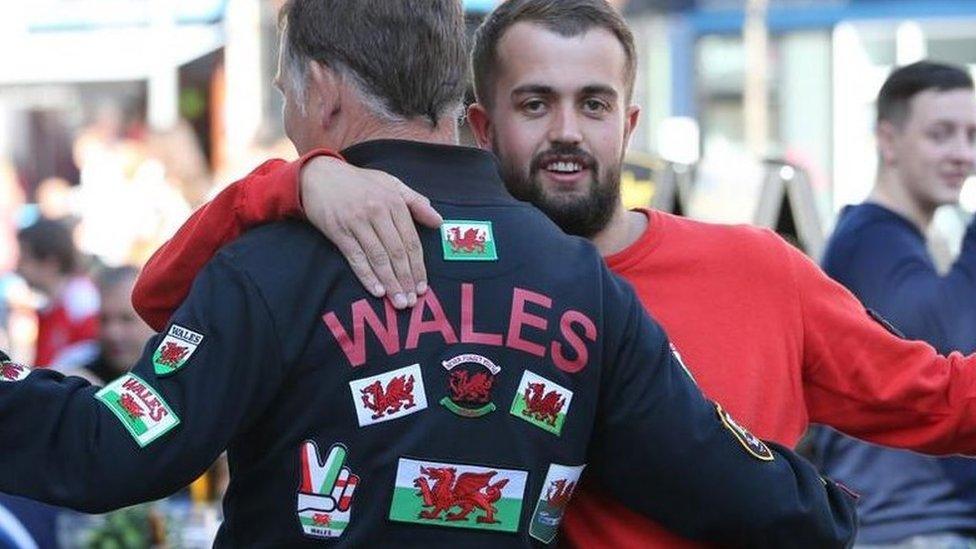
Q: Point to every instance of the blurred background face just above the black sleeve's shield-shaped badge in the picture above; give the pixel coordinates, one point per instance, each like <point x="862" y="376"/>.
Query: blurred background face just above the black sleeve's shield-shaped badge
<point x="122" y="333"/>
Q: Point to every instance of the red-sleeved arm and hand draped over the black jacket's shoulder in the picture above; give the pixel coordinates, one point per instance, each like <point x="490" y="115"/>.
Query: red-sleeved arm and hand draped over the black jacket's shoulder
<point x="366" y="213"/>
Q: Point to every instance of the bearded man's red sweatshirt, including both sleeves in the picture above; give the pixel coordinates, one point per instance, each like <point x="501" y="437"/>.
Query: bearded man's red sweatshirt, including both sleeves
<point x="762" y="329"/>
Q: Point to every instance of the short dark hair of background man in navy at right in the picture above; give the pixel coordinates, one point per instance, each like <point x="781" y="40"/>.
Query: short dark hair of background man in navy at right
<point x="904" y="83"/>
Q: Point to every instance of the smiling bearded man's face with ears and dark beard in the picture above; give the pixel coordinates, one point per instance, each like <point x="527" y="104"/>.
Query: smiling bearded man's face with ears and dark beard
<point x="560" y="121"/>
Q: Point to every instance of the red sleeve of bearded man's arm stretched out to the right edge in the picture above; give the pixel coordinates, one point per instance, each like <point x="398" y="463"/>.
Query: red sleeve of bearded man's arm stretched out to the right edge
<point x="865" y="381"/>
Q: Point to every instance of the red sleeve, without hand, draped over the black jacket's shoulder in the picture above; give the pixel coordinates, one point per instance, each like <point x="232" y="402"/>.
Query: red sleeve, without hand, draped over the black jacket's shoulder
<point x="269" y="193"/>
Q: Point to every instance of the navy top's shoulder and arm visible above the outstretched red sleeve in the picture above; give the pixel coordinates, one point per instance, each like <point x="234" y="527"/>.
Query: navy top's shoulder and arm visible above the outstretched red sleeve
<point x="892" y="274"/>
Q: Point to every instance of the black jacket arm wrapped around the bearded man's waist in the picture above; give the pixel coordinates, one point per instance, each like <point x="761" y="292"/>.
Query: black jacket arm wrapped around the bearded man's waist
<point x="662" y="449"/>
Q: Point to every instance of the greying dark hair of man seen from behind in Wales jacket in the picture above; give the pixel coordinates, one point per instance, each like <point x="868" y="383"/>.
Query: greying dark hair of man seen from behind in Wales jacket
<point x="408" y="55"/>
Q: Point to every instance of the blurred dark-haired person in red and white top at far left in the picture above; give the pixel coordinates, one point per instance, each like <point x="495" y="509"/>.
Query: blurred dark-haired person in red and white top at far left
<point x="67" y="324"/>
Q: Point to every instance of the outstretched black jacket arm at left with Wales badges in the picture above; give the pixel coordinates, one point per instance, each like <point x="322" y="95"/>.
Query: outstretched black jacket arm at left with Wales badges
<point x="153" y="431"/>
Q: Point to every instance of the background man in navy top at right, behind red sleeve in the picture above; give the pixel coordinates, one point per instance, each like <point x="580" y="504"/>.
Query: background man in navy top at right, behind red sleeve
<point x="926" y="134"/>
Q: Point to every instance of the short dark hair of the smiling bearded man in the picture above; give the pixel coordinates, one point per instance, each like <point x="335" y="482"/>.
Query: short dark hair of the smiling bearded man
<point x="564" y="17"/>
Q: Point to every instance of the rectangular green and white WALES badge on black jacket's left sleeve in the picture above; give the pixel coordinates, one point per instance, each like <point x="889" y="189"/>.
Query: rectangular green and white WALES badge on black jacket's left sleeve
<point x="142" y="411"/>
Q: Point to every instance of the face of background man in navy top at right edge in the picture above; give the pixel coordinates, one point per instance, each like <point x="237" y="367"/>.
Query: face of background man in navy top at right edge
<point x="933" y="150"/>
